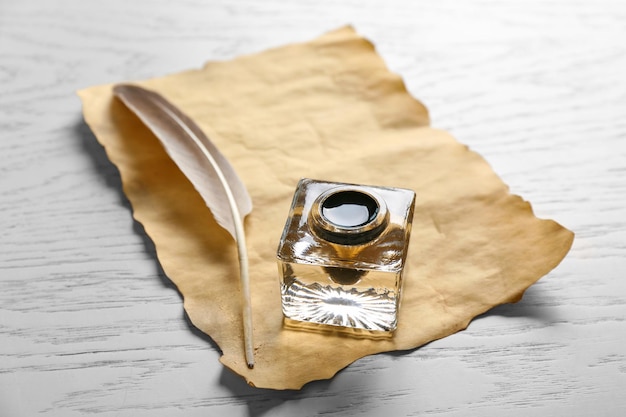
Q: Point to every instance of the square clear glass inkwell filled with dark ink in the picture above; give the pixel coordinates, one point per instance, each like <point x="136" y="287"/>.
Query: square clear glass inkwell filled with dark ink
<point x="342" y="254"/>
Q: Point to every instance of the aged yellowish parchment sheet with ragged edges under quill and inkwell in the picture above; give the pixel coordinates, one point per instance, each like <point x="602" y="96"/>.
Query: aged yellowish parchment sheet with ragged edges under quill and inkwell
<point x="473" y="245"/>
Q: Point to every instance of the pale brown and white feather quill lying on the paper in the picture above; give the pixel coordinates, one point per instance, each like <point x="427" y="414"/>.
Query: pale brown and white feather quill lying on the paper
<point x="207" y="169"/>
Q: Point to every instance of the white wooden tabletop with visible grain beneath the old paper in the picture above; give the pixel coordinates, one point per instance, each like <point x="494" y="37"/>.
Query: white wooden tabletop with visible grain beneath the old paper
<point x="89" y="325"/>
